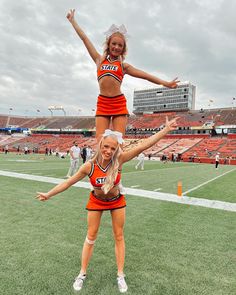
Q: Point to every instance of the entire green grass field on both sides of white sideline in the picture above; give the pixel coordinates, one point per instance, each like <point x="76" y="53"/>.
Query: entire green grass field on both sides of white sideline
<point x="170" y="248"/>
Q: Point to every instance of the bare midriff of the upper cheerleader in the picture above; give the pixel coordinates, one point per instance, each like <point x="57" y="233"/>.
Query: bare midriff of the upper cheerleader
<point x="109" y="86"/>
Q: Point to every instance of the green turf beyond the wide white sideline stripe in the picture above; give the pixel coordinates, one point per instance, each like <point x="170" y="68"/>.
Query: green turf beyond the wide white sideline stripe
<point x="156" y="175"/>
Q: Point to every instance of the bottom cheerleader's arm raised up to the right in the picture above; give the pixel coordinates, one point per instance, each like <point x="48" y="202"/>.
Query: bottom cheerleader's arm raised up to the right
<point x="149" y="142"/>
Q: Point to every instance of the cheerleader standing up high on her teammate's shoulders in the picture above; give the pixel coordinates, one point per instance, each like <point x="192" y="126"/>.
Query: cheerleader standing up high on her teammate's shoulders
<point x="111" y="68"/>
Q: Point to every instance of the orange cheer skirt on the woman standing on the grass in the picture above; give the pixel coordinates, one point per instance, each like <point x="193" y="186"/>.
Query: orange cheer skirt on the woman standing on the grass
<point x="95" y="204"/>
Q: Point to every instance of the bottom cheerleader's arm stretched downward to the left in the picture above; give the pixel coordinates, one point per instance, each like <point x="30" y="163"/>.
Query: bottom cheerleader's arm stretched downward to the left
<point x="61" y="187"/>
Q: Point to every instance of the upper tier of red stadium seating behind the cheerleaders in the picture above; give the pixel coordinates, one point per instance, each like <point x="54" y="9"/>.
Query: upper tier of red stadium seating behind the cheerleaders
<point x="186" y="119"/>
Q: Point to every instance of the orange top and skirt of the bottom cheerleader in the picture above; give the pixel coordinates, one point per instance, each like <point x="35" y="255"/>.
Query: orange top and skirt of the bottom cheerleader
<point x="97" y="178"/>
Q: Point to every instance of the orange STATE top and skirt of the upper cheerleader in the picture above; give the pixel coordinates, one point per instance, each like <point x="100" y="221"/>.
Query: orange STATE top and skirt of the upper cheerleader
<point x="114" y="105"/>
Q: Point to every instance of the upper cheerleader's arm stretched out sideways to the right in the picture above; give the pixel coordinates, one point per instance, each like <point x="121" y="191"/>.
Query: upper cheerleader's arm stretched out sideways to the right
<point x="132" y="71"/>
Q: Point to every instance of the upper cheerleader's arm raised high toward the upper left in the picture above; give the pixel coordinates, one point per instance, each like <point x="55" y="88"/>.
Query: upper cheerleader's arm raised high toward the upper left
<point x="88" y="44"/>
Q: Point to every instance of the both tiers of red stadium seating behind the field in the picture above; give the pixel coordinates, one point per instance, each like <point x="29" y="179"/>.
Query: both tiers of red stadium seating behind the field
<point x="191" y="139"/>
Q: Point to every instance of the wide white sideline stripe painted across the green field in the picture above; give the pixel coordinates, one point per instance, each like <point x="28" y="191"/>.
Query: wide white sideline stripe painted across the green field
<point x="134" y="192"/>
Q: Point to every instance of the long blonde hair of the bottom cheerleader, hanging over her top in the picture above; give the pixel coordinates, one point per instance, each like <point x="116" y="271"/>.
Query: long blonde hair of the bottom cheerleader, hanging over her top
<point x="112" y="170"/>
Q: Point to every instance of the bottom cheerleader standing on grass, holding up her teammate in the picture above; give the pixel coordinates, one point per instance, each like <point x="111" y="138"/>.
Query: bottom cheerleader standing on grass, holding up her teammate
<point x="104" y="171"/>
